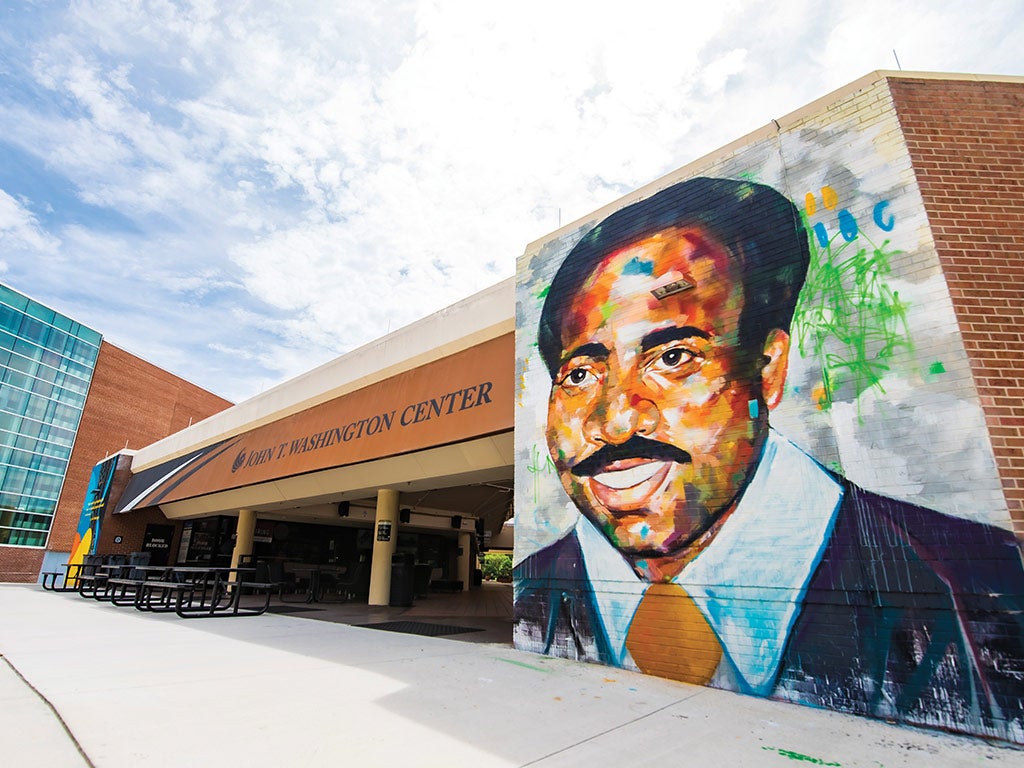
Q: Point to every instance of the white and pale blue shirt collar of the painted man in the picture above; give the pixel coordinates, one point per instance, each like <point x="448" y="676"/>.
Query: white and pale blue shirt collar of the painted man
<point x="750" y="581"/>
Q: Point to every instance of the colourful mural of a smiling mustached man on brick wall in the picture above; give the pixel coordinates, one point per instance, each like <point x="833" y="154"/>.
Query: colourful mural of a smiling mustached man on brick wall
<point x="716" y="382"/>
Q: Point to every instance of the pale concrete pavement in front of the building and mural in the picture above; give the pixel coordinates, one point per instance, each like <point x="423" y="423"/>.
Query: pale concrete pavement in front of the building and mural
<point x="282" y="691"/>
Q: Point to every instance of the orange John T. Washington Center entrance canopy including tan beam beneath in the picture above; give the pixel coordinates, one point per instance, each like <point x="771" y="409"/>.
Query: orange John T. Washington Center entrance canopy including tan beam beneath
<point x="442" y="424"/>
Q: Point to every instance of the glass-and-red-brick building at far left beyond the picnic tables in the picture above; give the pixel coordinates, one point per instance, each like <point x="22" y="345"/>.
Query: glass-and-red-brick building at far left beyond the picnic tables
<point x="68" y="401"/>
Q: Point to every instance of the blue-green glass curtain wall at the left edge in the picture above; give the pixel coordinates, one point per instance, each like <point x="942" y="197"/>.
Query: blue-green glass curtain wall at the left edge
<point x="47" y="362"/>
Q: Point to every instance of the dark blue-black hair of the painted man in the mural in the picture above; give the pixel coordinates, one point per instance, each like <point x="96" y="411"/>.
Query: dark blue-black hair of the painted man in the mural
<point x="761" y="229"/>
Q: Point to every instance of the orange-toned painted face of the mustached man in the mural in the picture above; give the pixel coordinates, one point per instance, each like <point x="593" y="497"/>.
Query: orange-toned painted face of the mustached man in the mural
<point x="657" y="415"/>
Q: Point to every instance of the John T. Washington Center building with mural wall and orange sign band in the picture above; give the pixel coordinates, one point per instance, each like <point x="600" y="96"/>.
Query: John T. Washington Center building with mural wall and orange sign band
<point x="763" y="417"/>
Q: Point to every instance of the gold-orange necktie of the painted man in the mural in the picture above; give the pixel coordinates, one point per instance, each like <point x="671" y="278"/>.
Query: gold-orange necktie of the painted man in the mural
<point x="670" y="637"/>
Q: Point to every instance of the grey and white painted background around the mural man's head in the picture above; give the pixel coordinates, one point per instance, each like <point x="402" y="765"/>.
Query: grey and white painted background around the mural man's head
<point x="917" y="433"/>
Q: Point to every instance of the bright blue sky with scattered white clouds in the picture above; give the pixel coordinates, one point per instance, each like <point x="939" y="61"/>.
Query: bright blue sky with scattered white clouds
<point x="239" y="192"/>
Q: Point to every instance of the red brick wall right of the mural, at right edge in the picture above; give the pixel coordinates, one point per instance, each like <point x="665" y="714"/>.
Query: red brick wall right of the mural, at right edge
<point x="967" y="144"/>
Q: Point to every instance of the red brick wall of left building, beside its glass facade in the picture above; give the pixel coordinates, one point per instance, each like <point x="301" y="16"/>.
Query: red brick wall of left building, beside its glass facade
<point x="132" y="404"/>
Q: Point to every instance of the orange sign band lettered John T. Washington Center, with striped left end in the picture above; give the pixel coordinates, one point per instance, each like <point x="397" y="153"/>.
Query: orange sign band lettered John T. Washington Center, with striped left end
<point x="463" y="397"/>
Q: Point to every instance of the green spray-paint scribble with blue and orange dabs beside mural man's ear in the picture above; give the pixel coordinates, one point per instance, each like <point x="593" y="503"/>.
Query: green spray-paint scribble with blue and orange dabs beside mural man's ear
<point x="849" y="317"/>
